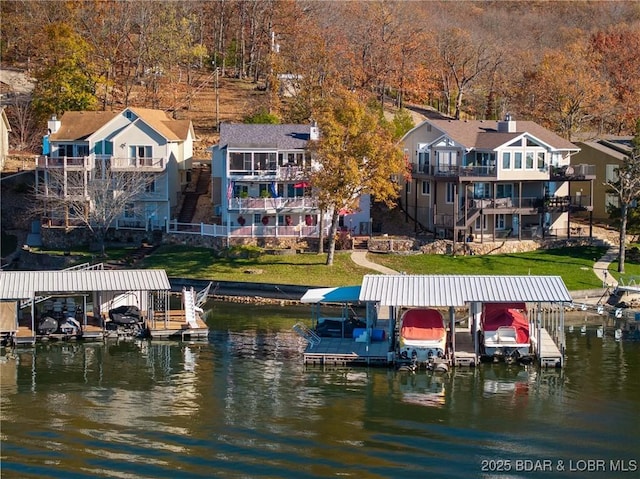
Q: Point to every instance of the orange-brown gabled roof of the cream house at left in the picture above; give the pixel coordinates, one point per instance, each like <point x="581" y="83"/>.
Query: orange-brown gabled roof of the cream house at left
<point x="79" y="125"/>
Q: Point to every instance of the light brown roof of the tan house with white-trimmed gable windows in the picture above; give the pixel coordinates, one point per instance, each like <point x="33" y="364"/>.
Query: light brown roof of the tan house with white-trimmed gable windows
<point x="484" y="134"/>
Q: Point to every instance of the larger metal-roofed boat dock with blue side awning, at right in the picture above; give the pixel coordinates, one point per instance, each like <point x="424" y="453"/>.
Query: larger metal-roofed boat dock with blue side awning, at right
<point x="384" y="297"/>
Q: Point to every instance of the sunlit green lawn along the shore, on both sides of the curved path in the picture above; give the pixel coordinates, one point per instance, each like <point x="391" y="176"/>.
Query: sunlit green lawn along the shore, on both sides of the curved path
<point x="574" y="265"/>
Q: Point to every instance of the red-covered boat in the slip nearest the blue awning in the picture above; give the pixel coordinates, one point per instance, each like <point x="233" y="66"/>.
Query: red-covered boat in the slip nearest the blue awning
<point x="423" y="336"/>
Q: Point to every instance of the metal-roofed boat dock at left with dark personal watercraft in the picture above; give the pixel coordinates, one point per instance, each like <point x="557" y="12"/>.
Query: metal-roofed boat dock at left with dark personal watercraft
<point x="93" y="304"/>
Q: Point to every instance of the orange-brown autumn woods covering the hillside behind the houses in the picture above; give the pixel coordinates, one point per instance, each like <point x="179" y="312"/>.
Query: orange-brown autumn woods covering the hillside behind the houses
<point x="570" y="66"/>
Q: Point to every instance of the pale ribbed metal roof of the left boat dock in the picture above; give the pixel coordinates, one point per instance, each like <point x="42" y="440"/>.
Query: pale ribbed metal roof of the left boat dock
<point x="27" y="284"/>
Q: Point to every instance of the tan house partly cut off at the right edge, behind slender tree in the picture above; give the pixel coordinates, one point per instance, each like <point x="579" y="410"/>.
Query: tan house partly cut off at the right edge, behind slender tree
<point x="606" y="154"/>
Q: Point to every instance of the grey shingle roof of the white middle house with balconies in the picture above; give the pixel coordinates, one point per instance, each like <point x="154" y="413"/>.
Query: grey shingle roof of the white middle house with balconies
<point x="280" y="137"/>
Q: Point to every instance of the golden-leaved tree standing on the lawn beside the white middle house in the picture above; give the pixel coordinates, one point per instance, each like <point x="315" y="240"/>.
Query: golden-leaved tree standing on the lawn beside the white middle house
<point x="357" y="155"/>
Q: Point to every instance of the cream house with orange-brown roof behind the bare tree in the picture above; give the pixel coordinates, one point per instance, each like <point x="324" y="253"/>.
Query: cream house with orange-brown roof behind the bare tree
<point x="85" y="145"/>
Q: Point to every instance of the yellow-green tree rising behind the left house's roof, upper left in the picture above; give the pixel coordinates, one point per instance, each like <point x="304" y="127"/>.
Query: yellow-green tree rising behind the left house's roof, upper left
<point x="65" y="79"/>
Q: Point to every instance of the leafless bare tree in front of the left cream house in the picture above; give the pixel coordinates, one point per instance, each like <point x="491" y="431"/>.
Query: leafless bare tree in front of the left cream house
<point x="94" y="199"/>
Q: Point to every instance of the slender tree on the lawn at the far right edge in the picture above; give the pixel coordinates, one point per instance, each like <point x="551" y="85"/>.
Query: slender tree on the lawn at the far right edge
<point x="627" y="188"/>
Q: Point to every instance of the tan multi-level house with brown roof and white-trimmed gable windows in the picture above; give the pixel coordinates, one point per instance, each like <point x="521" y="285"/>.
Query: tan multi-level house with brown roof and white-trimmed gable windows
<point x="483" y="180"/>
